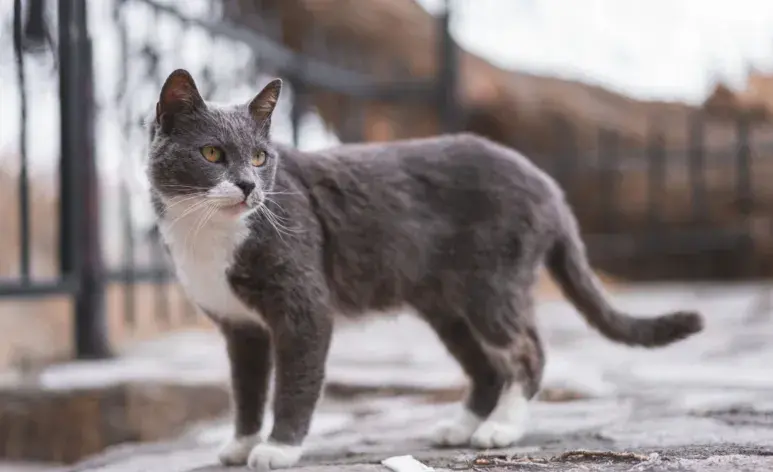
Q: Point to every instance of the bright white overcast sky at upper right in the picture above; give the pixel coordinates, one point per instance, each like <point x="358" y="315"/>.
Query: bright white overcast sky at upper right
<point x="665" y="49"/>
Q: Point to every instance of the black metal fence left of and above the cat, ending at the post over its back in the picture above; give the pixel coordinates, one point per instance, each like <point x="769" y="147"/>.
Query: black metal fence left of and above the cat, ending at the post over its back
<point x="144" y="63"/>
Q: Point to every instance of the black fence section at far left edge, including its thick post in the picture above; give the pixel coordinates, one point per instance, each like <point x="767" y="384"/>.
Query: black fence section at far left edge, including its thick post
<point x="80" y="270"/>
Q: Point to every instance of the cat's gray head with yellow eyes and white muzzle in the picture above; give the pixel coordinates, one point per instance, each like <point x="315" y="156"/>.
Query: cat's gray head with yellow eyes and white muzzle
<point x="211" y="156"/>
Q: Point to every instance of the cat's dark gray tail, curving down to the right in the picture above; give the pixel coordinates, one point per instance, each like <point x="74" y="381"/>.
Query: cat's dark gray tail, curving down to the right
<point x="568" y="264"/>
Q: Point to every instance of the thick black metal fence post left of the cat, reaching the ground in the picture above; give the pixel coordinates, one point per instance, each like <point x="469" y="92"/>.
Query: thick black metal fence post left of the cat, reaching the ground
<point x="80" y="252"/>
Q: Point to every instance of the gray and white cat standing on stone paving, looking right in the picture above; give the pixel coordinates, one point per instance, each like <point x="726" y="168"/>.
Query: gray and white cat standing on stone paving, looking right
<point x="271" y="242"/>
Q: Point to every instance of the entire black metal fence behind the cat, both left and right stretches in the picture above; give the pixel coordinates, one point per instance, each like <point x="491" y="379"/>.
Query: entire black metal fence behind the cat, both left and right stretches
<point x="619" y="234"/>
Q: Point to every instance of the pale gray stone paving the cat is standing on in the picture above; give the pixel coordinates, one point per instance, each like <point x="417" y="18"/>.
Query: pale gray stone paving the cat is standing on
<point x="705" y="404"/>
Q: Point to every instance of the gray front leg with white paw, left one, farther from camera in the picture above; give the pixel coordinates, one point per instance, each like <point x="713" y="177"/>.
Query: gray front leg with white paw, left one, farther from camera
<point x="249" y="355"/>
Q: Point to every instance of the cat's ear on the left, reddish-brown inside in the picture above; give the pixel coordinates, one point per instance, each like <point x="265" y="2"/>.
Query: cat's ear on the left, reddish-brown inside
<point x="178" y="95"/>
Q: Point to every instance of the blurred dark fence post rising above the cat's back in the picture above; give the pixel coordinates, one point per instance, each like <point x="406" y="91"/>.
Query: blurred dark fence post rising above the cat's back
<point x="448" y="77"/>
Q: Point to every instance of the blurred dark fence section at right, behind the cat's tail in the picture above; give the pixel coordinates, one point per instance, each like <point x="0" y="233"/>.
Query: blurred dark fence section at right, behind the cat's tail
<point x="655" y="212"/>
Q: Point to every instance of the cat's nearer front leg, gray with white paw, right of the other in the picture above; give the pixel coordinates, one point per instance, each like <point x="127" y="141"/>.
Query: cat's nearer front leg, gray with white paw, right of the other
<point x="301" y="340"/>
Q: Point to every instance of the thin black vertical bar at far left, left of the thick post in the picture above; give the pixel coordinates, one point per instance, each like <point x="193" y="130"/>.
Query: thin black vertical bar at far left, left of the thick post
<point x="24" y="207"/>
